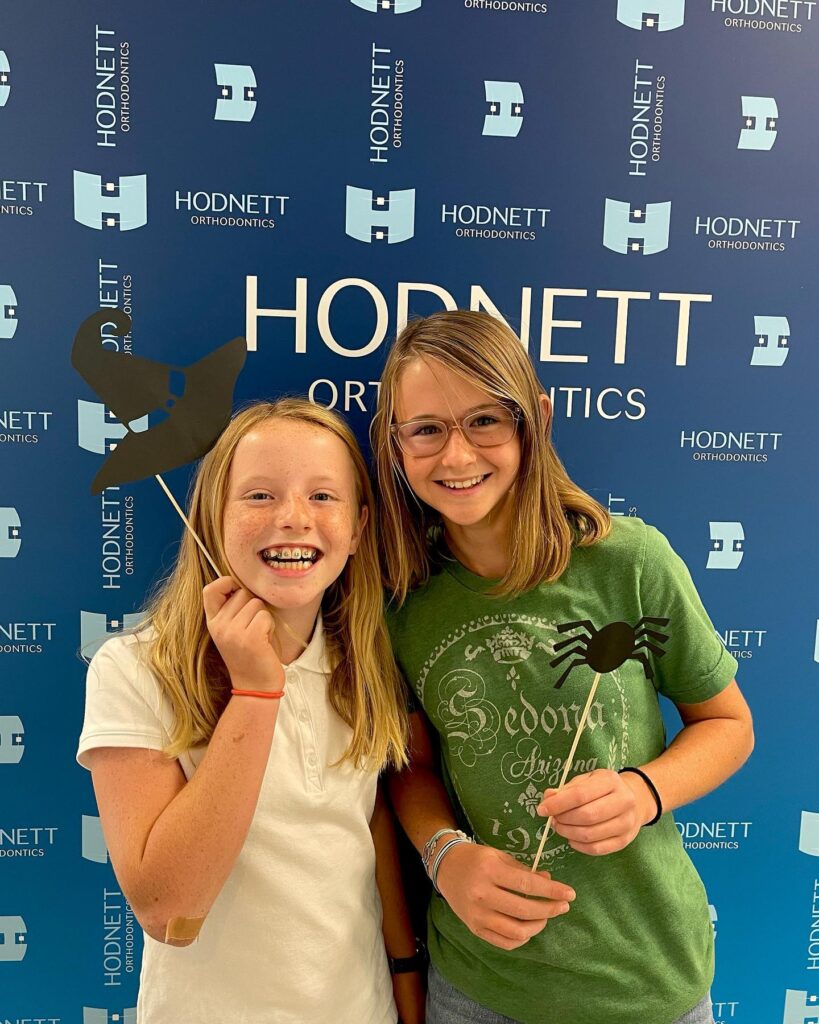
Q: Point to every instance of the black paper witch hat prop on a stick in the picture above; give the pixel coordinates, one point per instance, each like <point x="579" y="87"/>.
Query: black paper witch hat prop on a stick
<point x="193" y="404"/>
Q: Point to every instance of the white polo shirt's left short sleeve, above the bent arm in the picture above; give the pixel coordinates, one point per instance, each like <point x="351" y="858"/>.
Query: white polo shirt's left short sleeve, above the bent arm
<point x="124" y="706"/>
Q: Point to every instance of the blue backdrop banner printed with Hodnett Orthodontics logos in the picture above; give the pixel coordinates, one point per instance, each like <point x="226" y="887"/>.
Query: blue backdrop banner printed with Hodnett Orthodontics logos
<point x="630" y="184"/>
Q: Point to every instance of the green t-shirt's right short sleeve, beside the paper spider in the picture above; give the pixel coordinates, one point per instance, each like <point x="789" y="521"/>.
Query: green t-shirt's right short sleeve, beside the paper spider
<point x="696" y="666"/>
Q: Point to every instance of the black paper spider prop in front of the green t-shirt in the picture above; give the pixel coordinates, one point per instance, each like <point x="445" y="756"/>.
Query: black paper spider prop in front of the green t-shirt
<point x="608" y="649"/>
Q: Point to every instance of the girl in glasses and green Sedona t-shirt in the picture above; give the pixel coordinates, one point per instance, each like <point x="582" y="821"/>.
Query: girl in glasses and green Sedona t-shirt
<point x="490" y="548"/>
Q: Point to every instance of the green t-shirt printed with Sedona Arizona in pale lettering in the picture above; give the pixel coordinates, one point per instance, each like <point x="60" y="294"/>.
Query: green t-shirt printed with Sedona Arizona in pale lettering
<point x="637" y="945"/>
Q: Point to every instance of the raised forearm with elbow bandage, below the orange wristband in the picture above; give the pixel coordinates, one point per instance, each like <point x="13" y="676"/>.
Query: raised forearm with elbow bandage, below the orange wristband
<point x="194" y="844"/>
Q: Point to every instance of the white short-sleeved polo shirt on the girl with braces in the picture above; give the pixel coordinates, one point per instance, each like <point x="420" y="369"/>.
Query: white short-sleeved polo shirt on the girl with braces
<point x="294" y="937"/>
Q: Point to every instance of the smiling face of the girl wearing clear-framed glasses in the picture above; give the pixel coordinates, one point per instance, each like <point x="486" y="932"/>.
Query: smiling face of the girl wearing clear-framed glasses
<point x="469" y="486"/>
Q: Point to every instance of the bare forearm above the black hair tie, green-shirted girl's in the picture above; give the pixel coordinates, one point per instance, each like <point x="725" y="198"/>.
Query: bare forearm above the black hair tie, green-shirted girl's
<point x="702" y="757"/>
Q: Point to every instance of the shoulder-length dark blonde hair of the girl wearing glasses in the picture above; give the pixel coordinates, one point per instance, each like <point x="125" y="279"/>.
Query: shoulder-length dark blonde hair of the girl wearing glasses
<point x="550" y="514"/>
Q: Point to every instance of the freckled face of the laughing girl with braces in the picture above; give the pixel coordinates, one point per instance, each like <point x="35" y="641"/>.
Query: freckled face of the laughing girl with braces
<point x="291" y="519"/>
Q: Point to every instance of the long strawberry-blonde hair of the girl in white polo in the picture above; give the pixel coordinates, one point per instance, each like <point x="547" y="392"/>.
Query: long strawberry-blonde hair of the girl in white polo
<point x="365" y="688"/>
